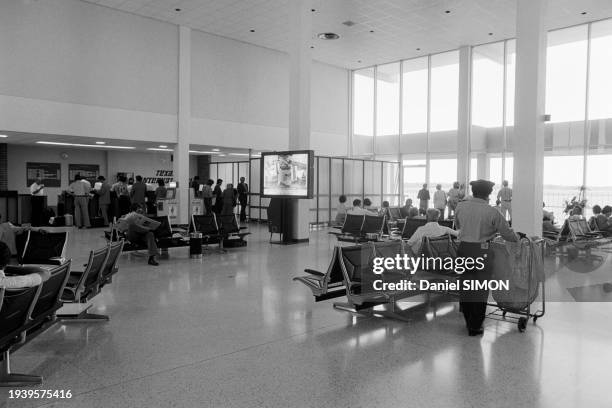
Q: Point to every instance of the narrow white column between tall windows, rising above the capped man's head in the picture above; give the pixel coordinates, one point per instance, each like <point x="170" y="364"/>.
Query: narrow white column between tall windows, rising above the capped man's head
<point x="463" y="125"/>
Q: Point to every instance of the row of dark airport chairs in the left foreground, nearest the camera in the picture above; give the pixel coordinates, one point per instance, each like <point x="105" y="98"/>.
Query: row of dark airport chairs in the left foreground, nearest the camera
<point x="27" y="312"/>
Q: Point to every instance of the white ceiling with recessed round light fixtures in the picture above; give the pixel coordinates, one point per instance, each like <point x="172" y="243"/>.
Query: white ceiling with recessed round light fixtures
<point x="400" y="26"/>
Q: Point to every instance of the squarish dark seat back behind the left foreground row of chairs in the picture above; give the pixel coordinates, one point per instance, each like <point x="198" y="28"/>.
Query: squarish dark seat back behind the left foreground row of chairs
<point x="44" y="247"/>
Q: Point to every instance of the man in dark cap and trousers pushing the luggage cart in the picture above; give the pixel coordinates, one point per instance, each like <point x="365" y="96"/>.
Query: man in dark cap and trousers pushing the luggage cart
<point x="478" y="223"/>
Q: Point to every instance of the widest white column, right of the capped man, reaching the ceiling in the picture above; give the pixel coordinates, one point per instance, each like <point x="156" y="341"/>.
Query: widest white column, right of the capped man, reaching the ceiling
<point x="529" y="116"/>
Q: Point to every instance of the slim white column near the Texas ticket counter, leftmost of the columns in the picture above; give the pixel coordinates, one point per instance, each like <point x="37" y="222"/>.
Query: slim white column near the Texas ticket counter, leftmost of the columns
<point x="181" y="150"/>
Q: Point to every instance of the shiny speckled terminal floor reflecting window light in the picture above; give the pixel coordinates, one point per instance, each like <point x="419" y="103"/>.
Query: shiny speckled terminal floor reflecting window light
<point x="234" y="330"/>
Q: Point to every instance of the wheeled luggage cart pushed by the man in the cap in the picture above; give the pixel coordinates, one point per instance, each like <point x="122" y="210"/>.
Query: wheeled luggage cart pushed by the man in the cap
<point x="507" y="307"/>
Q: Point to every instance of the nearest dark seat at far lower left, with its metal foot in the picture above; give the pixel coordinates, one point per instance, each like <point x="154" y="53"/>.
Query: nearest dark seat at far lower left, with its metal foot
<point x="15" y="310"/>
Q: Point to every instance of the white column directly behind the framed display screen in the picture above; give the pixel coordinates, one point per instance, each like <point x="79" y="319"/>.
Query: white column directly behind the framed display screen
<point x="299" y="98"/>
